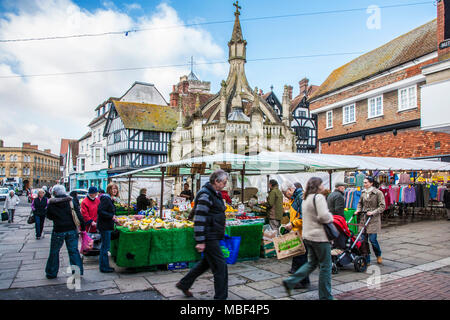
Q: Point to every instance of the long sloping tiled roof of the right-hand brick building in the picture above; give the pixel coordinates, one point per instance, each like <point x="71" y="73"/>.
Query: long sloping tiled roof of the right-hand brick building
<point x="412" y="45"/>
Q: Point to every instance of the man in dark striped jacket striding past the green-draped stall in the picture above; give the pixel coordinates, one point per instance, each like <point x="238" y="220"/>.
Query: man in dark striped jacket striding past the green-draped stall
<point x="209" y="229"/>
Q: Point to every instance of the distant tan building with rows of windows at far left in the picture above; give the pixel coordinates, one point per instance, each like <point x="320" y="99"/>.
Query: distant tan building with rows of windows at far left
<point x="28" y="165"/>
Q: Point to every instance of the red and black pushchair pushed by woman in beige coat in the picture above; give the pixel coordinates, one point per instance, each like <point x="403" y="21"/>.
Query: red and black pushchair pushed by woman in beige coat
<point x="348" y="248"/>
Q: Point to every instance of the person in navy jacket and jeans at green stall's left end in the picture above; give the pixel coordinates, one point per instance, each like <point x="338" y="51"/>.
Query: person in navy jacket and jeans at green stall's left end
<point x="105" y="224"/>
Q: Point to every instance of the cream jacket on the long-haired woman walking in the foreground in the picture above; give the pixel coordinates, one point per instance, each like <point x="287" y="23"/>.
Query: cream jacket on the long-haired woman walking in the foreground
<point x="313" y="219"/>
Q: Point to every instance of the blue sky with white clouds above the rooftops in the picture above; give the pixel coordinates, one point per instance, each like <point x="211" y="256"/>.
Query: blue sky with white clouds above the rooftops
<point x="44" y="109"/>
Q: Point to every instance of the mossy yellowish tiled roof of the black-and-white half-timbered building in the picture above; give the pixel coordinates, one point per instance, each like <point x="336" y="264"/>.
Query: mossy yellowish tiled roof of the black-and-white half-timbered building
<point x="151" y="117"/>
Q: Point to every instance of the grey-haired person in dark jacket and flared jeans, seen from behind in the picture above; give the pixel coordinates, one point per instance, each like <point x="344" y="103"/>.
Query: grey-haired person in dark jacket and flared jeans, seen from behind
<point x="59" y="210"/>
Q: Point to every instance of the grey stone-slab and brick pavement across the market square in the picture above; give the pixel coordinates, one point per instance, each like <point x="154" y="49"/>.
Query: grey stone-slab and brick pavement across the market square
<point x="416" y="266"/>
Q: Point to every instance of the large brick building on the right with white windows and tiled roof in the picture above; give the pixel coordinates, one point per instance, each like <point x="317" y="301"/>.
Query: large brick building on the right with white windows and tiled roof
<point x="372" y="105"/>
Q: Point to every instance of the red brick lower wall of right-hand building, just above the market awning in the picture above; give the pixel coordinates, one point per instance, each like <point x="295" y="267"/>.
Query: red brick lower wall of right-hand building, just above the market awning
<point x="407" y="143"/>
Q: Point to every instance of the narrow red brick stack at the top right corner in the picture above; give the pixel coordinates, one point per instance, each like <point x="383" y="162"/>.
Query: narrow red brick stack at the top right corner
<point x="443" y="29"/>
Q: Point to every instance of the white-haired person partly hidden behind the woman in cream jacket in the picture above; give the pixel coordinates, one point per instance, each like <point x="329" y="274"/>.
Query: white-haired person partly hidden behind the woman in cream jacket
<point x="295" y="195"/>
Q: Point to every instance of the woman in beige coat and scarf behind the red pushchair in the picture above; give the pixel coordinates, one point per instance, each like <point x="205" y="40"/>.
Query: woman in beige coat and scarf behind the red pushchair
<point x="373" y="204"/>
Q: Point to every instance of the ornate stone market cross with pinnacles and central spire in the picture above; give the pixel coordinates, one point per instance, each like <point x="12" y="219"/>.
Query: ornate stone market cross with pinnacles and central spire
<point x="235" y="120"/>
